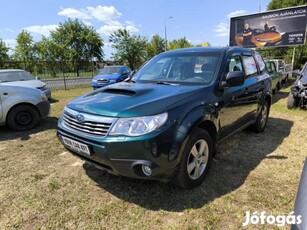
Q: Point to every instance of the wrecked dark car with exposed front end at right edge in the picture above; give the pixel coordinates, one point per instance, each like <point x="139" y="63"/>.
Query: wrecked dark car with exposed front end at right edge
<point x="298" y="94"/>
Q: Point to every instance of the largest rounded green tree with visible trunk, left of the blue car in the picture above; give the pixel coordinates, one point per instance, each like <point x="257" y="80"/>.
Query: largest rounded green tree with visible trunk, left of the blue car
<point x="77" y="42"/>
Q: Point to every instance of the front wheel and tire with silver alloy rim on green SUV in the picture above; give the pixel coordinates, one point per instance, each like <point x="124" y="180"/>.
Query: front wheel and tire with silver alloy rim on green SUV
<point x="195" y="160"/>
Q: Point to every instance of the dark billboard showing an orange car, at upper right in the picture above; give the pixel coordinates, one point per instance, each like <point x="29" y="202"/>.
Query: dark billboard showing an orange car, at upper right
<point x="283" y="27"/>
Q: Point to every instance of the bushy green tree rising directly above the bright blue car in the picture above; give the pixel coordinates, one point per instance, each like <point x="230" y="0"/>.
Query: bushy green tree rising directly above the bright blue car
<point x="131" y="48"/>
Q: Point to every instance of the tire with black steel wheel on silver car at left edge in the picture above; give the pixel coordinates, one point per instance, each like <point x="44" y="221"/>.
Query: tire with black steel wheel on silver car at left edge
<point x="23" y="117"/>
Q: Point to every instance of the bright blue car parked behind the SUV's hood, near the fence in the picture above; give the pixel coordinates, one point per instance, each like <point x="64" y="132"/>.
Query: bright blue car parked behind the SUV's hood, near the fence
<point x="109" y="75"/>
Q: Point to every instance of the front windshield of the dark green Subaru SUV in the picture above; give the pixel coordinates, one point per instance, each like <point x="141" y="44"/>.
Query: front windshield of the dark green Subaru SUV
<point x="179" y="68"/>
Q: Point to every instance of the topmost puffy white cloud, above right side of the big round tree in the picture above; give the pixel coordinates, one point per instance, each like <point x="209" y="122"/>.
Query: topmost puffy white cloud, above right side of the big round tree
<point x="103" y="13"/>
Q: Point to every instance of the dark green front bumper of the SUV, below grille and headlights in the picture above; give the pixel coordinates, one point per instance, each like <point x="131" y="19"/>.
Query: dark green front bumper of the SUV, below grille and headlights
<point x="124" y="156"/>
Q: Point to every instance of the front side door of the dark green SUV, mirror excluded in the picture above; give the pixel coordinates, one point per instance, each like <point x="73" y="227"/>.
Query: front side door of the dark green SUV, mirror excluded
<point x="236" y="103"/>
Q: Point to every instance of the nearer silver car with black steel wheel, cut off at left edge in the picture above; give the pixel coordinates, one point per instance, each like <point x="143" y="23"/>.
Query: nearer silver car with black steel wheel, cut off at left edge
<point x="22" y="107"/>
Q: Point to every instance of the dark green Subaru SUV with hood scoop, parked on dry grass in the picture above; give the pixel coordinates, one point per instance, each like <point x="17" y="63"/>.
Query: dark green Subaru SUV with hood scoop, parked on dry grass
<point x="166" y="122"/>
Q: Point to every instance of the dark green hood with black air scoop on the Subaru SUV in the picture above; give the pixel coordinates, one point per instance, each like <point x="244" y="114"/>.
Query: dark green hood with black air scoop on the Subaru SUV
<point x="134" y="99"/>
